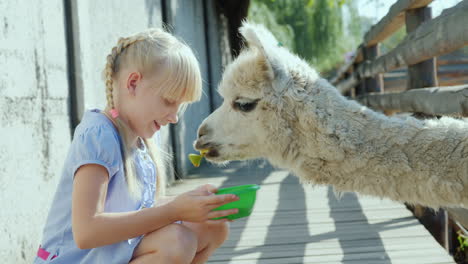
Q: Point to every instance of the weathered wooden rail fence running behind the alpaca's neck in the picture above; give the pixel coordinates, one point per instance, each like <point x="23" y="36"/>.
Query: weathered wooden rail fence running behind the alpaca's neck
<point x="427" y="38"/>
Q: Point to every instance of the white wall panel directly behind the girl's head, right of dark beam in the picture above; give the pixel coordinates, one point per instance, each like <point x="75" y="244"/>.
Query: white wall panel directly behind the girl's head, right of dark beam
<point x="97" y="25"/>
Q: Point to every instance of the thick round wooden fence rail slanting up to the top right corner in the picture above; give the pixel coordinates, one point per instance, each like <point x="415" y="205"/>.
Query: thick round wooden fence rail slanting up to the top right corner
<point x="439" y="36"/>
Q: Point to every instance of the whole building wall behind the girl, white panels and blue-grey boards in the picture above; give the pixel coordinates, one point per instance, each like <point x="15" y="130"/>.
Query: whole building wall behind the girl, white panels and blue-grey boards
<point x="51" y="59"/>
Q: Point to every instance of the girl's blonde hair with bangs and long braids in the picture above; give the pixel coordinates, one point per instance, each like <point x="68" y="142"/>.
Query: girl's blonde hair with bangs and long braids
<point x="151" y="51"/>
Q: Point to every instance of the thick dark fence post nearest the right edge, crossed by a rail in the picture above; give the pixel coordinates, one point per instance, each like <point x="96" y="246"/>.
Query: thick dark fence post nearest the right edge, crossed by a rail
<point x="423" y="74"/>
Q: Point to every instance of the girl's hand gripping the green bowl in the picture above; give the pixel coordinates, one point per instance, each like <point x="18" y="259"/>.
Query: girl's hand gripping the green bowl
<point x="197" y="205"/>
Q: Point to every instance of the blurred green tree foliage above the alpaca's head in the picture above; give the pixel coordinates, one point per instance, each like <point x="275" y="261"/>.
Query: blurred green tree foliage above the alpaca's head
<point x="311" y="28"/>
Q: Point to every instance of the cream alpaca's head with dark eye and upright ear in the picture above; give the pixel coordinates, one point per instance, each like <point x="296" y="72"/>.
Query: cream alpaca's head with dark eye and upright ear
<point x="258" y="88"/>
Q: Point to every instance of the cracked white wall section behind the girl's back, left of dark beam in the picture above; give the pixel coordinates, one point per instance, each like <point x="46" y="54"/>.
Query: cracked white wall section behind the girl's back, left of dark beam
<point x="34" y="122"/>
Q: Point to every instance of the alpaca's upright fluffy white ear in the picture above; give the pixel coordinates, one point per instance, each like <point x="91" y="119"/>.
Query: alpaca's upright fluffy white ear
<point x="260" y="38"/>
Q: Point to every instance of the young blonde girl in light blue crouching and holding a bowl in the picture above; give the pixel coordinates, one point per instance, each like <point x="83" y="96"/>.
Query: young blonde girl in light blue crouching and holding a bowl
<point x="103" y="209"/>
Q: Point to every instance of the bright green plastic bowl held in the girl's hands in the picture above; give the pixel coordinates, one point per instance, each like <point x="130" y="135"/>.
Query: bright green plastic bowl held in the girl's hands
<point x="247" y="195"/>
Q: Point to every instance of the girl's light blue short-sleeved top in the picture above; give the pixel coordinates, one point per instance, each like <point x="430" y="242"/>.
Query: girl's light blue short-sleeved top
<point x="96" y="141"/>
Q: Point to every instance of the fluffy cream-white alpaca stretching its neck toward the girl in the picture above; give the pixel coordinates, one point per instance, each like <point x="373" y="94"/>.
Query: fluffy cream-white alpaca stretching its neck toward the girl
<point x="277" y="107"/>
